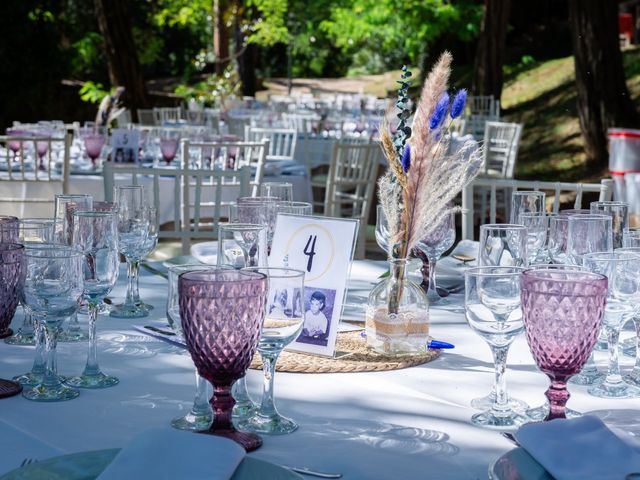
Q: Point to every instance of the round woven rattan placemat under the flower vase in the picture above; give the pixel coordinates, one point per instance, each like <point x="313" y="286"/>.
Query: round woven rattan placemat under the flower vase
<point x="352" y="355"/>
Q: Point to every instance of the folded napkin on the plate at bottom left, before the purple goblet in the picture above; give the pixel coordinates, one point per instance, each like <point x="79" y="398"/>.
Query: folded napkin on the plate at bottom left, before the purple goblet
<point x="166" y="453"/>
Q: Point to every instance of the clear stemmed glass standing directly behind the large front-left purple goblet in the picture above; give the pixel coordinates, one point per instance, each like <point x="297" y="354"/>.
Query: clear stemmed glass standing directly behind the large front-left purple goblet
<point x="242" y="245"/>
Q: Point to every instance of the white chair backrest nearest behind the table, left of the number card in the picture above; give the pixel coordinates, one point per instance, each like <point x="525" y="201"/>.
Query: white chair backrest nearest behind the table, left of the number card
<point x="199" y="196"/>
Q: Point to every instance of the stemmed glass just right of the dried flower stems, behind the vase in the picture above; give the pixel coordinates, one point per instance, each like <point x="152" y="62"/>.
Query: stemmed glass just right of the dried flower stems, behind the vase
<point x="432" y="247"/>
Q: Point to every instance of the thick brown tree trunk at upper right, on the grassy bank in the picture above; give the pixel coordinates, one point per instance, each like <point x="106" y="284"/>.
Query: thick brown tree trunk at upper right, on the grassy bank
<point x="603" y="97"/>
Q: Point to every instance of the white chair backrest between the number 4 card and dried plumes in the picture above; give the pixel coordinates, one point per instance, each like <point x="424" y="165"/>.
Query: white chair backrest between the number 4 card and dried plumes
<point x="351" y="184"/>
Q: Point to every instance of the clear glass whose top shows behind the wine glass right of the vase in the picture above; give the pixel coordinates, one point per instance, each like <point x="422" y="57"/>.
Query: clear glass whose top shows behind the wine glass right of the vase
<point x="502" y="244"/>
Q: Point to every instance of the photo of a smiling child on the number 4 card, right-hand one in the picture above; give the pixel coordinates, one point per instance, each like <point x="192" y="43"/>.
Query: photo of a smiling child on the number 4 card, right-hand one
<point x="318" y="310"/>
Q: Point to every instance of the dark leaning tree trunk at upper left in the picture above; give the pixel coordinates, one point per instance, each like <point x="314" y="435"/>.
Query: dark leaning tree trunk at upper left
<point x="124" y="68"/>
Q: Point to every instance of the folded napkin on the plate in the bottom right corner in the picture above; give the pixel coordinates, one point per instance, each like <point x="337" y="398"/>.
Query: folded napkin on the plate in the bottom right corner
<point x="579" y="448"/>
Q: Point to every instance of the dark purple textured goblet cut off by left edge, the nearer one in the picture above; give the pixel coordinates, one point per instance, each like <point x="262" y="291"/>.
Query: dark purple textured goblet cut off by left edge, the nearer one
<point x="12" y="273"/>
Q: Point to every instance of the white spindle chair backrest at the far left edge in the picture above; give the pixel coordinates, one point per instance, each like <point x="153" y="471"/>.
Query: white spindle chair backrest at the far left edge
<point x="27" y="164"/>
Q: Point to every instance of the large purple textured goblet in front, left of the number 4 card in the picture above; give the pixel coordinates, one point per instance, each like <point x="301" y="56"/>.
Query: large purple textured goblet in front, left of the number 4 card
<point x="222" y="312"/>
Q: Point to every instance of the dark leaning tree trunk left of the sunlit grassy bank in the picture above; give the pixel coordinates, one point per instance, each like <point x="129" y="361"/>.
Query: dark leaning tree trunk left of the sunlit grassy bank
<point x="487" y="78"/>
